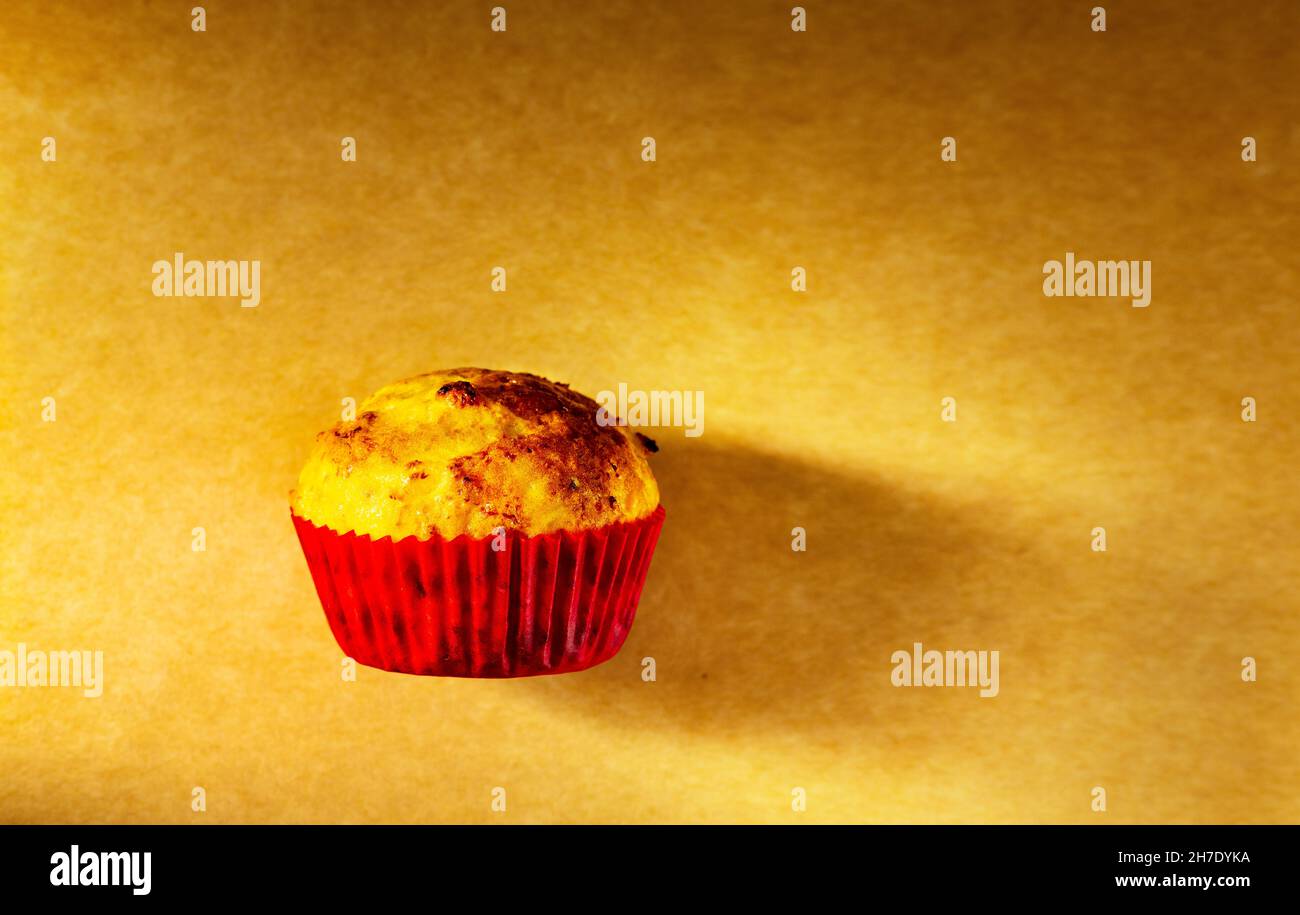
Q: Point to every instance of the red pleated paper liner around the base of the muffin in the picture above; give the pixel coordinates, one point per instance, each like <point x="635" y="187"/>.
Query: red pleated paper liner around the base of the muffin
<point x="551" y="604"/>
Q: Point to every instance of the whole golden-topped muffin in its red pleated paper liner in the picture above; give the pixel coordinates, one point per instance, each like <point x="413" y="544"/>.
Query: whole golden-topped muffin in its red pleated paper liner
<point x="479" y="524"/>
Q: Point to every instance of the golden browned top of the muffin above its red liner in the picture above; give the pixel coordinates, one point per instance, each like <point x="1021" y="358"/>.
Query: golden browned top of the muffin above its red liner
<point x="467" y="452"/>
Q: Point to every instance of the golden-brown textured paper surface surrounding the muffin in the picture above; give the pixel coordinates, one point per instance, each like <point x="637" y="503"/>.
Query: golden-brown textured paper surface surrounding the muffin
<point x="1119" y="670"/>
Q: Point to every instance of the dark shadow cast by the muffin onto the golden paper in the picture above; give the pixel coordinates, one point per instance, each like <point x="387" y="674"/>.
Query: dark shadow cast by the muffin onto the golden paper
<point x="743" y="631"/>
